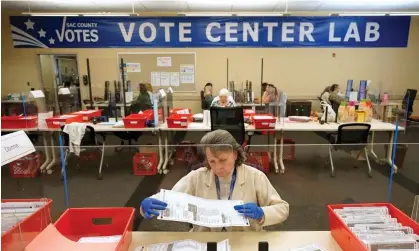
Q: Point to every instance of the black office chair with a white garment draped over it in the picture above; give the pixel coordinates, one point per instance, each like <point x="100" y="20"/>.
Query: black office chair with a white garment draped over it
<point x="89" y="140"/>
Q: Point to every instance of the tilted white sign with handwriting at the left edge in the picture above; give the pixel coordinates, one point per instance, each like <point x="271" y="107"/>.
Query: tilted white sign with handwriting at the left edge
<point x="14" y="146"/>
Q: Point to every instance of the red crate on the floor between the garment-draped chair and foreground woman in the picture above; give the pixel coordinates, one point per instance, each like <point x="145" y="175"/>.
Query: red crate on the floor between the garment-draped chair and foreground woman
<point x="145" y="164"/>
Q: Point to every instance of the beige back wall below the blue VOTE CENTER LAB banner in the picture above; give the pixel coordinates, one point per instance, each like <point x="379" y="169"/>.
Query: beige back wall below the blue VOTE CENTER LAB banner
<point x="301" y="72"/>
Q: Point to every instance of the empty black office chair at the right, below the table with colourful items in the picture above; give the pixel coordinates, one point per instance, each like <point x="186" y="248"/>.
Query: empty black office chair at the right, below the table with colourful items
<point x="350" y="137"/>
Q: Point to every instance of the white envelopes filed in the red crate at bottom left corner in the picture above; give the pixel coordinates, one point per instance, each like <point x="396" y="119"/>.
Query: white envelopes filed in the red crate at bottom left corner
<point x="13" y="213"/>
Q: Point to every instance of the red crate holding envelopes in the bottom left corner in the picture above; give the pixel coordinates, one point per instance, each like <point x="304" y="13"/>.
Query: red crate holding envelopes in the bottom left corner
<point x="18" y="237"/>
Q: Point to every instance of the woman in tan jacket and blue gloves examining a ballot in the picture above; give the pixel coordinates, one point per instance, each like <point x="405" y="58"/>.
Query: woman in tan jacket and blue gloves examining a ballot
<point x="227" y="178"/>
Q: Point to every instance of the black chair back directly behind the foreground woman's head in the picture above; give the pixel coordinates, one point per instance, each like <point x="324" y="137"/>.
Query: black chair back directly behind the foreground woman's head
<point x="230" y="119"/>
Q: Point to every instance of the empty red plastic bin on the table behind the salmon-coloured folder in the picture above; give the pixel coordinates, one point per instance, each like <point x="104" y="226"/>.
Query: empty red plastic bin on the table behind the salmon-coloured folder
<point x="76" y="223"/>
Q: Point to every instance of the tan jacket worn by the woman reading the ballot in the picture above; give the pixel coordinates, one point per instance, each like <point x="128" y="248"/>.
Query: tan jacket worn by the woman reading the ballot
<point x="251" y="185"/>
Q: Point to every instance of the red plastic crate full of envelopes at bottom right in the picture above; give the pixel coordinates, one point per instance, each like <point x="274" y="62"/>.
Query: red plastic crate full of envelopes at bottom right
<point x="344" y="236"/>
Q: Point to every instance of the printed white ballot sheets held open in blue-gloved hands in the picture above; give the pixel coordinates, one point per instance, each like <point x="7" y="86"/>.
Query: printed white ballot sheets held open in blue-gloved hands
<point x="198" y="211"/>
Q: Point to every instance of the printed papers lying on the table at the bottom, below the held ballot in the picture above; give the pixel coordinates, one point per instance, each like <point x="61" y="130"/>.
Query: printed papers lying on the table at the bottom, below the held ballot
<point x="185" y="245"/>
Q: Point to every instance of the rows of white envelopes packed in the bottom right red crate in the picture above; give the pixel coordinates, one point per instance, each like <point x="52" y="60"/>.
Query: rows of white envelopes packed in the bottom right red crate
<point x="375" y="227"/>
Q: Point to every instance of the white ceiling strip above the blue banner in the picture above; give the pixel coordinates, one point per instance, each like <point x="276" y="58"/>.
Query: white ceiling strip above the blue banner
<point x="211" y="5"/>
